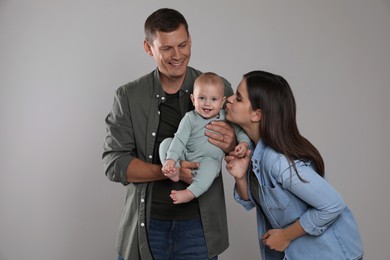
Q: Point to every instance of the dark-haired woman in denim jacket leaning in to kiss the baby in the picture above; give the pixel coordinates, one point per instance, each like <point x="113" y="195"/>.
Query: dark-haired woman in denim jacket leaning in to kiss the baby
<point x="299" y="214"/>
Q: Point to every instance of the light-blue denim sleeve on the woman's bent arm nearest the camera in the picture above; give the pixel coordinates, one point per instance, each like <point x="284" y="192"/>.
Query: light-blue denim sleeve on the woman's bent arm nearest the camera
<point x="324" y="203"/>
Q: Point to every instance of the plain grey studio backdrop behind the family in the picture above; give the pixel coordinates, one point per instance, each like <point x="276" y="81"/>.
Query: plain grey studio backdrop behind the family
<point x="61" y="60"/>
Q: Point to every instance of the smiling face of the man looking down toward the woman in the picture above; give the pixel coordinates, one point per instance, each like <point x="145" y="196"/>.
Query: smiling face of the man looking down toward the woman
<point x="171" y="51"/>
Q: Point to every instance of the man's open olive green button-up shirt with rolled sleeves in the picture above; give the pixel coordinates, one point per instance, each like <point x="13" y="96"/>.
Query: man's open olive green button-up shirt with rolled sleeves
<point x="131" y="133"/>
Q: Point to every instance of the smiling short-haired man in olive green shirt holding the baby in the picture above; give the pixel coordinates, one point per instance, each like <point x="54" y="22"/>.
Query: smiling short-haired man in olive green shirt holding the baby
<point x="144" y="113"/>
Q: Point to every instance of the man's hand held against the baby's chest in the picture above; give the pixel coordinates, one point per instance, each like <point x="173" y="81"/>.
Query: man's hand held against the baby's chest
<point x="225" y="136"/>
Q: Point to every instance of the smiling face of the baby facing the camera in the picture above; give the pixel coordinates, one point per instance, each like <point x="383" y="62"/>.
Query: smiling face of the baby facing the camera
<point x="208" y="99"/>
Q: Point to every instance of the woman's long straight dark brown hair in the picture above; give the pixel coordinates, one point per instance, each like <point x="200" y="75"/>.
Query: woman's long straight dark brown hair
<point x="278" y="129"/>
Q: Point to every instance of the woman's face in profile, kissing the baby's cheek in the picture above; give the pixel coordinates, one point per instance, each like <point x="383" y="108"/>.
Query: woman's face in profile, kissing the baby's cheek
<point x="238" y="107"/>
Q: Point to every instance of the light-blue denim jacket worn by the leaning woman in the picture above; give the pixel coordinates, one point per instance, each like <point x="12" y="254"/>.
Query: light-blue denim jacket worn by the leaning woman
<point x="332" y="232"/>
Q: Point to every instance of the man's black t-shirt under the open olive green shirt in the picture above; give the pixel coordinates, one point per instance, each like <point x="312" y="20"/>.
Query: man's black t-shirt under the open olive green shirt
<point x="162" y="204"/>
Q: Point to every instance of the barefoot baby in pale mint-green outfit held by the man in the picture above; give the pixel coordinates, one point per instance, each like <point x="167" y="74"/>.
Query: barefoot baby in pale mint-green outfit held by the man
<point x="191" y="144"/>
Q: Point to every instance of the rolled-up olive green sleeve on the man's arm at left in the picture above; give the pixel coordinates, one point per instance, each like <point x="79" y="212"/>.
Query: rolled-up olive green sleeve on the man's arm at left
<point x="119" y="147"/>
